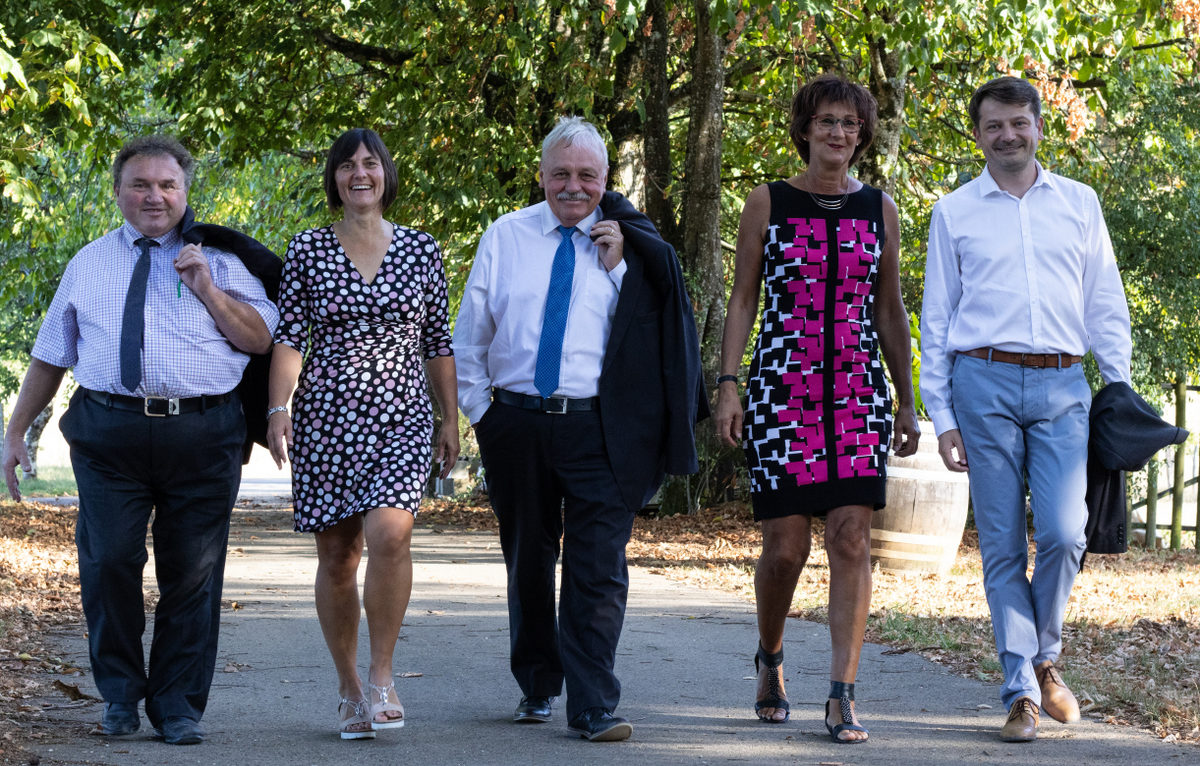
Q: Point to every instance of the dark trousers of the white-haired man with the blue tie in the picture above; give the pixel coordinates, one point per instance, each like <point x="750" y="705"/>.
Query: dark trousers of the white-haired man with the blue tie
<point x="549" y="478"/>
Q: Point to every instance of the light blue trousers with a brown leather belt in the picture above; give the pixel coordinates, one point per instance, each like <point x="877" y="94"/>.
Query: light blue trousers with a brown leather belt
<point x="1025" y="424"/>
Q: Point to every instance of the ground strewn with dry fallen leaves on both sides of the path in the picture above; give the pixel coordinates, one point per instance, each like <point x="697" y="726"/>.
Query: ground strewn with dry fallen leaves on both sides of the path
<point x="1131" y="651"/>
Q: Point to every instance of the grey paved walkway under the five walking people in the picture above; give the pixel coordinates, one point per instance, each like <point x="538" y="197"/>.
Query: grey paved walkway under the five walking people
<point x="685" y="660"/>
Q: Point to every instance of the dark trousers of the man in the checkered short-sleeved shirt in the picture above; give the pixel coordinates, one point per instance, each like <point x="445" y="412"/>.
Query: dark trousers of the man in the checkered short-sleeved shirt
<point x="185" y="469"/>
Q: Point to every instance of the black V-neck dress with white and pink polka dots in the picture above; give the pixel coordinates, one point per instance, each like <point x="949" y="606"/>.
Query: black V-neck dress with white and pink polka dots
<point x="362" y="416"/>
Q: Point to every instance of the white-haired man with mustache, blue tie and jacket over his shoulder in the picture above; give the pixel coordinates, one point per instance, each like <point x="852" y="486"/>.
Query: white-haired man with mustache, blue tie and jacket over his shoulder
<point x="579" y="367"/>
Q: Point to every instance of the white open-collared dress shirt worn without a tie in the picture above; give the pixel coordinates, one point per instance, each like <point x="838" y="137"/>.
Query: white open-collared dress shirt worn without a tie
<point x="1034" y="274"/>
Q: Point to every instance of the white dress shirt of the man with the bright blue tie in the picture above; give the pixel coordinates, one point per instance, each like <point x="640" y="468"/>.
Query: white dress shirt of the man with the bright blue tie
<point x="499" y="328"/>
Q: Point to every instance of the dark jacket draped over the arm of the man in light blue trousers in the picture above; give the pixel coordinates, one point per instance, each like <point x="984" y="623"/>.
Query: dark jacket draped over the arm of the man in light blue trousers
<point x="1125" y="434"/>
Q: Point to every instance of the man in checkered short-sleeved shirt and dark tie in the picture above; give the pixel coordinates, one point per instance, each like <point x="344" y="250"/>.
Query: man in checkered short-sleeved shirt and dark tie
<point x="158" y="332"/>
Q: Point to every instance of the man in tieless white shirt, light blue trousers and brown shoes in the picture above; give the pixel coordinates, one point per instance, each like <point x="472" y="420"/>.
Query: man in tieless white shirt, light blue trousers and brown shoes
<point x="1021" y="283"/>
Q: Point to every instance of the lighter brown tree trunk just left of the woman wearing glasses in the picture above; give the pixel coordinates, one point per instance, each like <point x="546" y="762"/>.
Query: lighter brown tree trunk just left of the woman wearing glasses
<point x="703" y="260"/>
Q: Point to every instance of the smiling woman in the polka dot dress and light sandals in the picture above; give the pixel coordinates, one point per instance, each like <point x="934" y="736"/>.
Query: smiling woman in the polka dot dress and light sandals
<point x="364" y="320"/>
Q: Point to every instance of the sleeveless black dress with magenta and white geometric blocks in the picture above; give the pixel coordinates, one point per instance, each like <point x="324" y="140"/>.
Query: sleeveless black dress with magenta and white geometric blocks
<point x="819" y="411"/>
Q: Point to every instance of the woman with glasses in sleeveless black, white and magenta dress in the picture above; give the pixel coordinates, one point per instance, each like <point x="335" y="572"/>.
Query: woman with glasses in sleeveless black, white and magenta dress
<point x="819" y="414"/>
